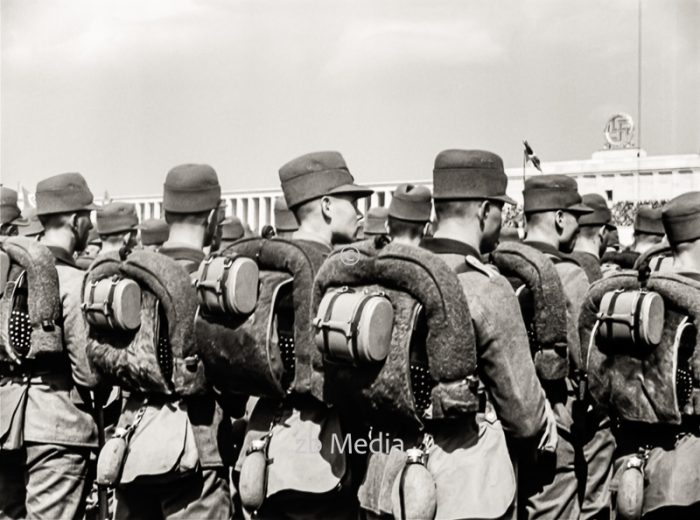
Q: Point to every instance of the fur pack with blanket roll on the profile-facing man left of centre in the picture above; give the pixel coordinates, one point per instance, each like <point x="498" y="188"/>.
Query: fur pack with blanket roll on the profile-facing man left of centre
<point x="269" y="350"/>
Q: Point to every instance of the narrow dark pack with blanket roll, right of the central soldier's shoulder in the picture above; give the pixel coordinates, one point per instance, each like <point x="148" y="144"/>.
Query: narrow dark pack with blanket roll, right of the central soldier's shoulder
<point x="543" y="303"/>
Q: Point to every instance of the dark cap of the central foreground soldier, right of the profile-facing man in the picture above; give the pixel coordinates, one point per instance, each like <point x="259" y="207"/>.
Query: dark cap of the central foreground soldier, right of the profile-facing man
<point x="469" y="174"/>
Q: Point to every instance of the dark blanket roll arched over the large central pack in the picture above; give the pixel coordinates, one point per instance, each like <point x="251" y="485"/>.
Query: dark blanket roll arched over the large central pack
<point x="450" y="343"/>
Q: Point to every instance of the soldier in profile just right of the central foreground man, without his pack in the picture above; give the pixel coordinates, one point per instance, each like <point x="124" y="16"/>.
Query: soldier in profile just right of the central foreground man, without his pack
<point x="580" y="486"/>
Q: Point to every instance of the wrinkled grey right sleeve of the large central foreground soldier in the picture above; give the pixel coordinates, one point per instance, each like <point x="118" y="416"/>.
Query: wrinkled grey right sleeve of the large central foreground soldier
<point x="505" y="363"/>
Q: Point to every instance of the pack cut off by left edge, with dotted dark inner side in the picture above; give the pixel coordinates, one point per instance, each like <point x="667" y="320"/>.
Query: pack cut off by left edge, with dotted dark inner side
<point x="30" y="305"/>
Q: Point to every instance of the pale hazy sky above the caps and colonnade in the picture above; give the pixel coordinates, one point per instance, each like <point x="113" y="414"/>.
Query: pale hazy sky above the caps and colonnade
<point x="123" y="90"/>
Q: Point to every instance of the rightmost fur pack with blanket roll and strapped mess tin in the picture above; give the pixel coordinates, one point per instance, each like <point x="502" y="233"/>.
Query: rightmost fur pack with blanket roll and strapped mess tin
<point x="642" y="362"/>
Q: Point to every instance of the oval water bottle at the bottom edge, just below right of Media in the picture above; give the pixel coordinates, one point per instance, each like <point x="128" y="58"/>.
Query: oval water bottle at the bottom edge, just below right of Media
<point x="414" y="496"/>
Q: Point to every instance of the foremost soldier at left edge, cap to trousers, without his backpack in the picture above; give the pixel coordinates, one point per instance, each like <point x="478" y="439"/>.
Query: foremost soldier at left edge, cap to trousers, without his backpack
<point x="47" y="399"/>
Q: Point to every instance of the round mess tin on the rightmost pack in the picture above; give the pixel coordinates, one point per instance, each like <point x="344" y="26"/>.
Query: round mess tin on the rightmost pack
<point x="631" y="316"/>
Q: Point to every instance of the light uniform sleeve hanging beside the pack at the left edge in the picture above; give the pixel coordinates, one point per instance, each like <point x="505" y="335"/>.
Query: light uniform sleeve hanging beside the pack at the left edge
<point x="75" y="328"/>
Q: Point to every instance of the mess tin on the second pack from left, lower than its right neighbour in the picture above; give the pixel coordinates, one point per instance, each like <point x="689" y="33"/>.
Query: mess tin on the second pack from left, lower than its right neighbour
<point x="113" y="304"/>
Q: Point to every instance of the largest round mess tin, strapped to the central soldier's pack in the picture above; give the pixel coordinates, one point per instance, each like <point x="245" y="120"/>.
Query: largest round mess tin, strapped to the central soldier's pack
<point x="354" y="327"/>
